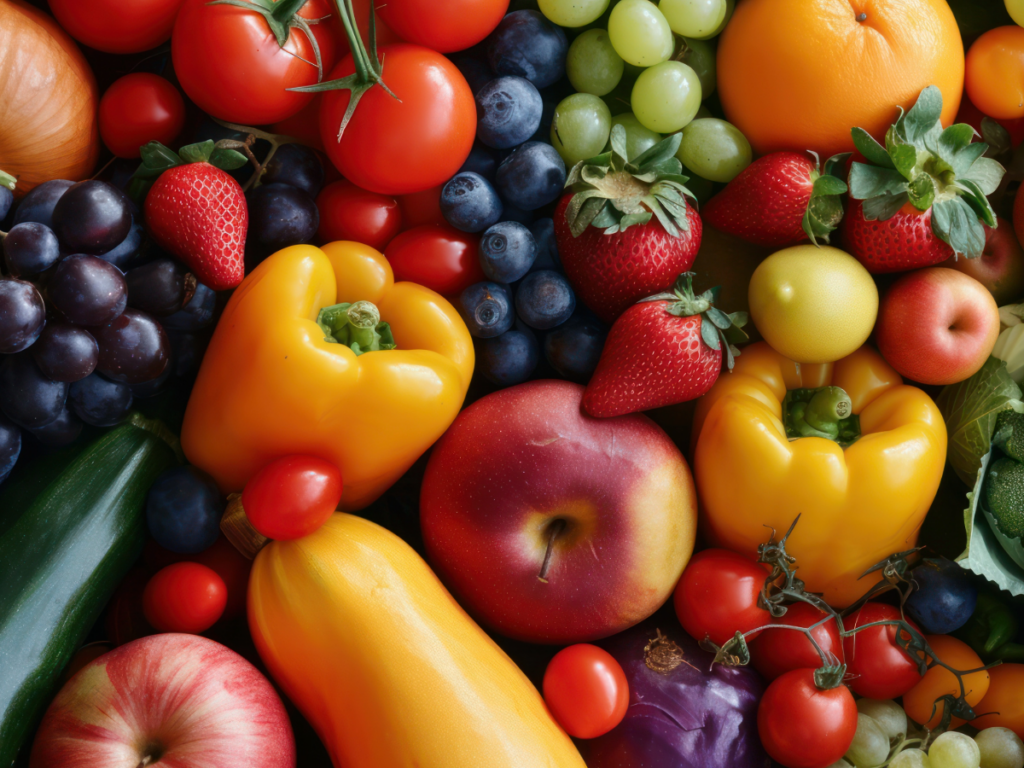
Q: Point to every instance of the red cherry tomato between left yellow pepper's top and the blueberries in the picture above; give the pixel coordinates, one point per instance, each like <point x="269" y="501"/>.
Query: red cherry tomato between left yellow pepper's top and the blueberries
<point x="438" y="257"/>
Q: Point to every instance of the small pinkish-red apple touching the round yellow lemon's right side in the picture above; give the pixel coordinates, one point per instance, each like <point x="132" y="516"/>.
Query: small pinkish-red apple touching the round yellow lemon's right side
<point x="937" y="326"/>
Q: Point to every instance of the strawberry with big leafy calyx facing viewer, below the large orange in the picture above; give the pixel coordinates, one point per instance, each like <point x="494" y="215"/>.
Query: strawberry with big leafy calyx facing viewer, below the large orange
<point x="923" y="197"/>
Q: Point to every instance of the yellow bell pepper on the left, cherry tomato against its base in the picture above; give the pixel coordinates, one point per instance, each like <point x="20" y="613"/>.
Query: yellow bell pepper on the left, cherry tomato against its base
<point x="274" y="382"/>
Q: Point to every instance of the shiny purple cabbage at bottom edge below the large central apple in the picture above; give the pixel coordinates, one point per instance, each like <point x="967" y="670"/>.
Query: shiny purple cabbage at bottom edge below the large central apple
<point x="684" y="712"/>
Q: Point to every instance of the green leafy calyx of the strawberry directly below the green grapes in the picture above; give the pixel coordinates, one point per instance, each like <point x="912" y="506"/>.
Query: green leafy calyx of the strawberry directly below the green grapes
<point x="613" y="194"/>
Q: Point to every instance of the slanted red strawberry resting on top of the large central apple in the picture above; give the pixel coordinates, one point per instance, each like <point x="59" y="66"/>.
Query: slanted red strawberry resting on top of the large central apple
<point x="664" y="351"/>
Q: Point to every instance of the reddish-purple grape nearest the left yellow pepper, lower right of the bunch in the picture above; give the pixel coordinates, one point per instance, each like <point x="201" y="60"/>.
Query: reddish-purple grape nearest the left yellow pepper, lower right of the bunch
<point x="134" y="349"/>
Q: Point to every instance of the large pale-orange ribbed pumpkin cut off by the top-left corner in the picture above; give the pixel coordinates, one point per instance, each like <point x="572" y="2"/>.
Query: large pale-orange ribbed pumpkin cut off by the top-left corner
<point x="49" y="126"/>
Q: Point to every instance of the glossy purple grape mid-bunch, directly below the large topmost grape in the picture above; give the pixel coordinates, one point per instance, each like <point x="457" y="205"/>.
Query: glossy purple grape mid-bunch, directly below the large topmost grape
<point x="89" y="291"/>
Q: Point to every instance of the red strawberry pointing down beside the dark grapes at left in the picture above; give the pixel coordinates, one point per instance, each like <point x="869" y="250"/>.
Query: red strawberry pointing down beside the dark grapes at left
<point x="196" y="211"/>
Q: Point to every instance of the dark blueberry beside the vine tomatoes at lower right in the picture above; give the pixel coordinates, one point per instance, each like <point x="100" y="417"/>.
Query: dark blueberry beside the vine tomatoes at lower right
<point x="946" y="598"/>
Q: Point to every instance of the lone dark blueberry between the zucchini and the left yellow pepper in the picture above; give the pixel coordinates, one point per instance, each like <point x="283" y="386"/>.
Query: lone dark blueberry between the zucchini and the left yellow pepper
<point x="184" y="510"/>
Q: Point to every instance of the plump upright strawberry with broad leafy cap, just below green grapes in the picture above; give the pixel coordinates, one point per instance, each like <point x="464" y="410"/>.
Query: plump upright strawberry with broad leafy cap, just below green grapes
<point x="627" y="231"/>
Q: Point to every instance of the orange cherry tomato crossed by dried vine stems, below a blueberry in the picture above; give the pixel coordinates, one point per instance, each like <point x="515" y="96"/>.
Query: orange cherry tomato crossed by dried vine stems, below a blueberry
<point x="920" y="702"/>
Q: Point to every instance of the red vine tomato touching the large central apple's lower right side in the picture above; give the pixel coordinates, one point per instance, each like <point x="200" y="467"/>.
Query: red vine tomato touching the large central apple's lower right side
<point x="718" y="596"/>
